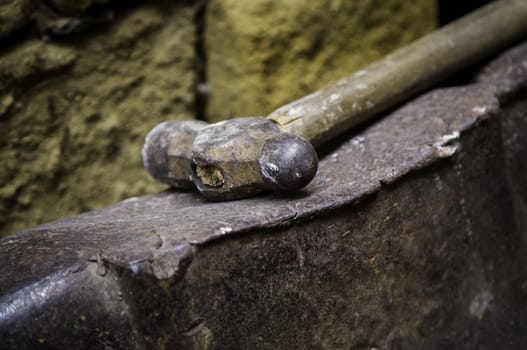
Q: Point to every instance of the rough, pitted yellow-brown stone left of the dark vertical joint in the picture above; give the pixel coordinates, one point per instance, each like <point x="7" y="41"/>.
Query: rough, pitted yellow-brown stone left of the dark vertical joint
<point x="77" y="102"/>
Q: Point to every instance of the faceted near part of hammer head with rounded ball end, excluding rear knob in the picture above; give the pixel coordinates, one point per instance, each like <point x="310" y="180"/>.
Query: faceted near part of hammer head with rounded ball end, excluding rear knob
<point x="241" y="157"/>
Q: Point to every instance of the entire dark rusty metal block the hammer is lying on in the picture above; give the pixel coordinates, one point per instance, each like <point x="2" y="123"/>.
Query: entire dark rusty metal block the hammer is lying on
<point x="407" y="234"/>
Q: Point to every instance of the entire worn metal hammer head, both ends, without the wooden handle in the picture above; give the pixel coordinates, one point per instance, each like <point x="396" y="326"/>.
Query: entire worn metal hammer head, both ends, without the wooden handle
<point x="233" y="159"/>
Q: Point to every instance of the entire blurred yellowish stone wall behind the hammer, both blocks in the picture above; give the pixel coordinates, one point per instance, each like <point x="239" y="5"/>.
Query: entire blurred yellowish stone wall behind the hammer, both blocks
<point x="81" y="83"/>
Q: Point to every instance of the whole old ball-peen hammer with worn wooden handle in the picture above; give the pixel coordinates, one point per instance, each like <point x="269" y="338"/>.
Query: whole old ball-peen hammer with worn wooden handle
<point x="242" y="157"/>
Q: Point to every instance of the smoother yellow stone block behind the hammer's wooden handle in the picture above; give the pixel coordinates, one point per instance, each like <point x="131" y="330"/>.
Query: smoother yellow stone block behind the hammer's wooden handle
<point x="262" y="54"/>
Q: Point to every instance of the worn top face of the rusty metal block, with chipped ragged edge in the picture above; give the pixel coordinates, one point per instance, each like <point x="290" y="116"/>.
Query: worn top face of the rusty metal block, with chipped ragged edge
<point x="138" y="232"/>
